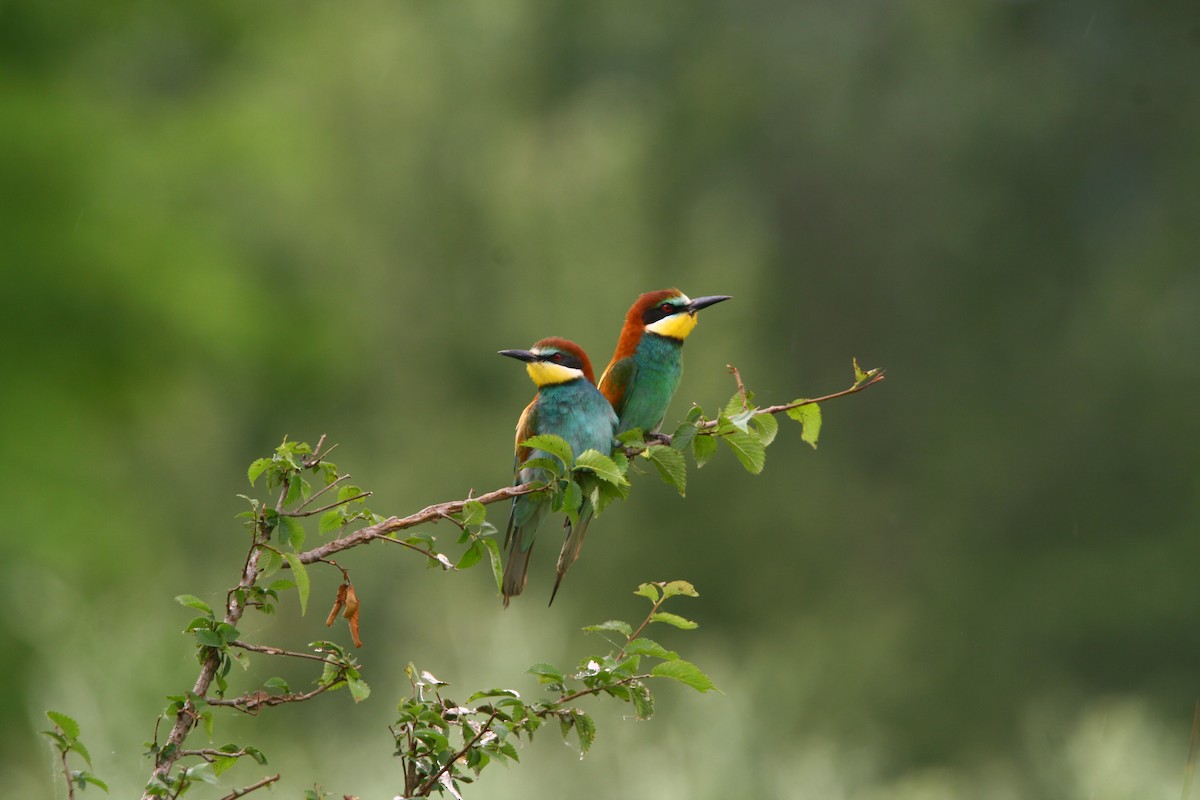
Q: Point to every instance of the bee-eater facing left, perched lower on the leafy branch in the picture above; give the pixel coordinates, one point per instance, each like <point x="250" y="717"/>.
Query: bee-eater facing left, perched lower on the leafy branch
<point x="567" y="405"/>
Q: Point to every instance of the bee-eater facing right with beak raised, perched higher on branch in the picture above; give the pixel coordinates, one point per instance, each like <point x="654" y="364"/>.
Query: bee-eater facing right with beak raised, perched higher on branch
<point x="645" y="371"/>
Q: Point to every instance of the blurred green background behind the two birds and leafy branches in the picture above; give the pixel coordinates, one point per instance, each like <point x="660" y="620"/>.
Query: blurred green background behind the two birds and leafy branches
<point x="229" y="222"/>
